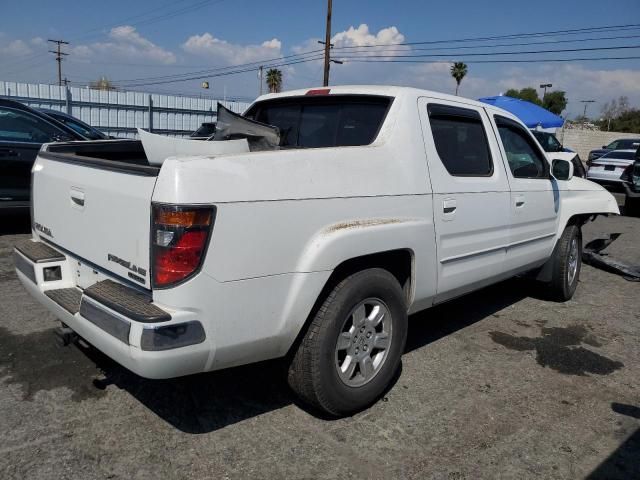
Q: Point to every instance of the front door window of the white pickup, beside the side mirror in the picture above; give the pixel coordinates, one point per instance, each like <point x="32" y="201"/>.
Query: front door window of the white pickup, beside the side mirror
<point x="524" y="158"/>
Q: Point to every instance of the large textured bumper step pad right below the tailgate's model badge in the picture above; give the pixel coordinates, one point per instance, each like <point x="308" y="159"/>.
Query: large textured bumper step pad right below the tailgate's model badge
<point x="126" y="301"/>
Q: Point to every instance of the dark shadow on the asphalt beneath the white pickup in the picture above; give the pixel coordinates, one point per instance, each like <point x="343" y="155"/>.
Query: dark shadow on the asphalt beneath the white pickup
<point x="207" y="402"/>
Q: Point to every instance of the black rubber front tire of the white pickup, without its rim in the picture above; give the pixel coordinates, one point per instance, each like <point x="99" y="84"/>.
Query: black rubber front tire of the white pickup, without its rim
<point x="561" y="288"/>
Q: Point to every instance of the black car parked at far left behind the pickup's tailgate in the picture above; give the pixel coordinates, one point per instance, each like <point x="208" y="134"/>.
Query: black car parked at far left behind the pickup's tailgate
<point x="23" y="130"/>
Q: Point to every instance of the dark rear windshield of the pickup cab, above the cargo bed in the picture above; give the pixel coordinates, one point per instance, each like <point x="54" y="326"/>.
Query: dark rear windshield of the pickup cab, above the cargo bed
<point x="324" y="121"/>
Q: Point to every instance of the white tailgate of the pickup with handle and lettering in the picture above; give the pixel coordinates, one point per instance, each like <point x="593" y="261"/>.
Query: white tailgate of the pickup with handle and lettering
<point x="100" y="215"/>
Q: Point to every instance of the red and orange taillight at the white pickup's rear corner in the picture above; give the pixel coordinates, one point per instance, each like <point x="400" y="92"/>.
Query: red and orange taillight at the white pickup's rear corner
<point x="179" y="239"/>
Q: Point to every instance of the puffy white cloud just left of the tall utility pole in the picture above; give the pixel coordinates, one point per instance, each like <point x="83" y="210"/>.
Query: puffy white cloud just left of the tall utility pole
<point x="230" y="53"/>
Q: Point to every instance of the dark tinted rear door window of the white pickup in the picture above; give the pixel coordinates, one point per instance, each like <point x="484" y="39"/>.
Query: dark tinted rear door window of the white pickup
<point x="460" y="140"/>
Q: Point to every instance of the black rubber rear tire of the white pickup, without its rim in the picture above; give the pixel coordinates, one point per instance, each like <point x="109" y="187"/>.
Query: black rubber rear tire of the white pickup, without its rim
<point x="313" y="374"/>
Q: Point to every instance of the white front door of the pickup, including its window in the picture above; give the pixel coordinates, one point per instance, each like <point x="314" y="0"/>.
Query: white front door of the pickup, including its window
<point x="535" y="197"/>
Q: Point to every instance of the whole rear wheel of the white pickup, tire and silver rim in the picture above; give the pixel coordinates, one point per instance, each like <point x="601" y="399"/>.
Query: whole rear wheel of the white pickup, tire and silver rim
<point x="352" y="348"/>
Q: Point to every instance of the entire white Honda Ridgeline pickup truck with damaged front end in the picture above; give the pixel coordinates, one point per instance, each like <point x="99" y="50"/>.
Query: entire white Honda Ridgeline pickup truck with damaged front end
<point x="377" y="202"/>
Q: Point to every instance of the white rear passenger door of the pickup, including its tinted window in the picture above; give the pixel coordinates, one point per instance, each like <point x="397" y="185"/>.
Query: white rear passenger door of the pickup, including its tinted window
<point x="471" y="195"/>
